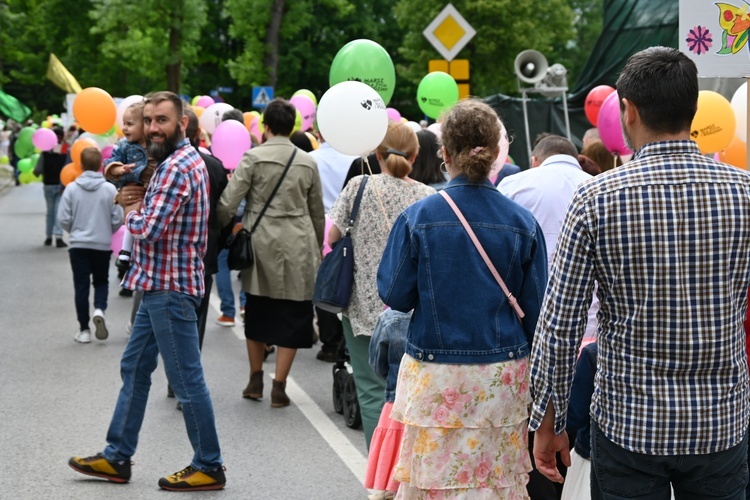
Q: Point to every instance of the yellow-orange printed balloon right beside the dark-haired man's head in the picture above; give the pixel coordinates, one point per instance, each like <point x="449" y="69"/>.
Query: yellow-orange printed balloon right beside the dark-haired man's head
<point x="714" y="123"/>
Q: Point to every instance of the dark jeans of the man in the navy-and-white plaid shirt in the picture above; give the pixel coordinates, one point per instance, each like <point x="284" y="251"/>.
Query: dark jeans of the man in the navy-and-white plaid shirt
<point x="617" y="473"/>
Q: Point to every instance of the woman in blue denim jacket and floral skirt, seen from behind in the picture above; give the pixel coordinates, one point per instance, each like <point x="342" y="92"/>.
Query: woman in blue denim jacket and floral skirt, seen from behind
<point x="463" y="384"/>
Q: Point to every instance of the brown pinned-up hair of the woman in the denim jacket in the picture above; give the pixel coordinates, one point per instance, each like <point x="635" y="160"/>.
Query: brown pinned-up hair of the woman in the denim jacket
<point x="471" y="136"/>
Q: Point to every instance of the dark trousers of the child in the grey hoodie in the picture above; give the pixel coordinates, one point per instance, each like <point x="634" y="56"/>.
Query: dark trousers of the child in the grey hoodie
<point x="89" y="266"/>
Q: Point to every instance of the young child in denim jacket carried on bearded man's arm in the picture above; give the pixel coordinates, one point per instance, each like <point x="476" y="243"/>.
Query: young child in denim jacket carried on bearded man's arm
<point x="129" y="164"/>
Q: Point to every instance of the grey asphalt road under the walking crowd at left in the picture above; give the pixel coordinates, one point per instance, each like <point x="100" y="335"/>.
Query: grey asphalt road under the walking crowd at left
<point x="57" y="396"/>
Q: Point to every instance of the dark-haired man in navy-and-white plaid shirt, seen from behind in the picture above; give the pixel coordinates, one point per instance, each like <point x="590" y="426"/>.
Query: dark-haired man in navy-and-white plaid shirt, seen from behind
<point x="667" y="238"/>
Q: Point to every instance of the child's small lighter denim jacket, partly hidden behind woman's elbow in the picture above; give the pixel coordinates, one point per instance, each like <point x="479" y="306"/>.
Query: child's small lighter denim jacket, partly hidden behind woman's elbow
<point x="387" y="348"/>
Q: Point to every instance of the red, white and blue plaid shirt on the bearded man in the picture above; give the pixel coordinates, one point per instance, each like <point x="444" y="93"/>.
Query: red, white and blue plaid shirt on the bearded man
<point x="170" y="231"/>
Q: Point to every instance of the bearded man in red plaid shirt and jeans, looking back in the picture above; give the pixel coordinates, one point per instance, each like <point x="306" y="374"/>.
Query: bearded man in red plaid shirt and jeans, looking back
<point x="169" y="225"/>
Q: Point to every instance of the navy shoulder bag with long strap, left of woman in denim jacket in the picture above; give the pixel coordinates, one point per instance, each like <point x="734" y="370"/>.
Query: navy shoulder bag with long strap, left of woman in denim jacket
<point x="333" y="284"/>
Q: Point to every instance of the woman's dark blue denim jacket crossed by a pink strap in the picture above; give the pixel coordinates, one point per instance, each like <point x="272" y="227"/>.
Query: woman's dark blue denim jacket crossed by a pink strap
<point x="430" y="265"/>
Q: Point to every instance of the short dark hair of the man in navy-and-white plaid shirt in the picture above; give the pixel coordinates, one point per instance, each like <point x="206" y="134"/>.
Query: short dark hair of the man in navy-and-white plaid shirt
<point x="662" y="83"/>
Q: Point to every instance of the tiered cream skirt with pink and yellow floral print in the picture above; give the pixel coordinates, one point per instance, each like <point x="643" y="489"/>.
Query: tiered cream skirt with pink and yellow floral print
<point x="465" y="430"/>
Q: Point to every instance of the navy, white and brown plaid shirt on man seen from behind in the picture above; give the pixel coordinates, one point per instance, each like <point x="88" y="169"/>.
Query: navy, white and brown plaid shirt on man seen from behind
<point x="667" y="237"/>
